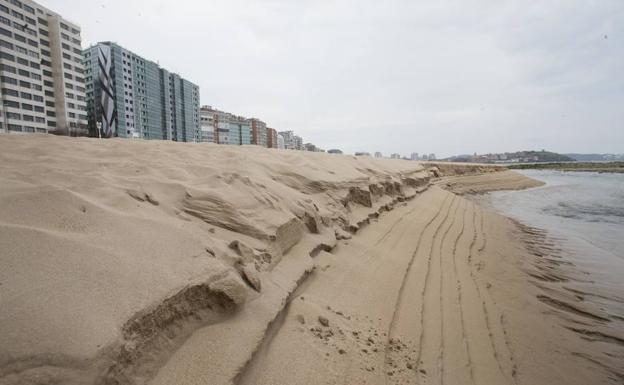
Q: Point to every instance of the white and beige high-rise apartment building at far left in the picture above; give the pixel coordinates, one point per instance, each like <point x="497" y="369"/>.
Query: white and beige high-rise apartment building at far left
<point x="42" y="86"/>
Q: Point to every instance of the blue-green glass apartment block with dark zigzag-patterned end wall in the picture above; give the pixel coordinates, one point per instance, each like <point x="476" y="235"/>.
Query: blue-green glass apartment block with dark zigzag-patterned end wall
<point x="133" y="97"/>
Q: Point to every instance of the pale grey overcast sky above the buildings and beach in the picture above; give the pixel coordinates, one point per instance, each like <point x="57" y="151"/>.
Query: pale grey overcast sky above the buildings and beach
<point x="448" y="77"/>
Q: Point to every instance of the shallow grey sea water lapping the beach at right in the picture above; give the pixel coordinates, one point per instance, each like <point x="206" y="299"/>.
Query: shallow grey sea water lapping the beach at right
<point x="584" y="212"/>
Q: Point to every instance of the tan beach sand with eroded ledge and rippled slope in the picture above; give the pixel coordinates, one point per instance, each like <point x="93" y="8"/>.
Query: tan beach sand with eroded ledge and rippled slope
<point x="144" y="262"/>
